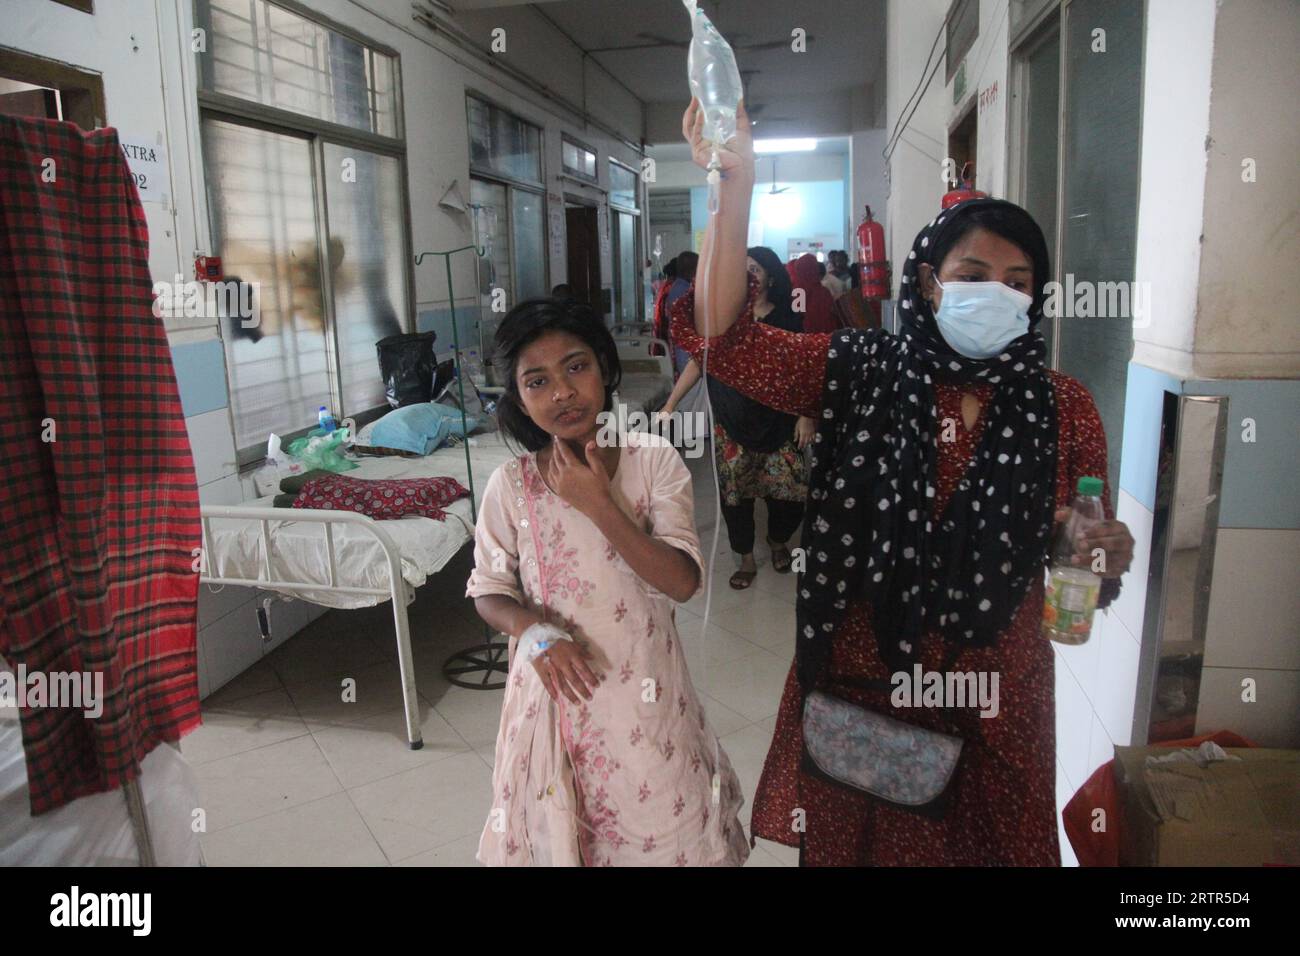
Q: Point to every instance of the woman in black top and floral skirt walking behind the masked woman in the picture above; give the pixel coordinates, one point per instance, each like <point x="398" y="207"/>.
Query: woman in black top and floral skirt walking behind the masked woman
<point x="759" y="451"/>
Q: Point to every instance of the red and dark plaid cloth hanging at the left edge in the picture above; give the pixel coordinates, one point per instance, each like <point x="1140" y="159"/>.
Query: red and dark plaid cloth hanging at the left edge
<point x="98" y="527"/>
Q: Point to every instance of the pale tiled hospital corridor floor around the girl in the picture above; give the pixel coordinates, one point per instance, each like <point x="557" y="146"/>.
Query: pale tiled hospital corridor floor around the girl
<point x="292" y="776"/>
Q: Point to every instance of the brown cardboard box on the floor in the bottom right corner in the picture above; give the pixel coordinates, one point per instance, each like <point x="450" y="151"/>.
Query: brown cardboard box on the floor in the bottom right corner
<point x="1229" y="814"/>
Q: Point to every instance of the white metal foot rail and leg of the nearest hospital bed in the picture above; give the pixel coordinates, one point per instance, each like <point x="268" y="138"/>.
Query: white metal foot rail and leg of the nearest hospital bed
<point x="400" y="592"/>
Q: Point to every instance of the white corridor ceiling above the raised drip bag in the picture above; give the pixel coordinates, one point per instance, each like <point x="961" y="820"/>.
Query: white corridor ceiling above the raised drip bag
<point x="644" y="45"/>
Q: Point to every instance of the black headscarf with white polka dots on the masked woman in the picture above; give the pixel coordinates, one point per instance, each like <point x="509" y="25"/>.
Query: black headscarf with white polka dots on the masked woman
<point x="870" y="527"/>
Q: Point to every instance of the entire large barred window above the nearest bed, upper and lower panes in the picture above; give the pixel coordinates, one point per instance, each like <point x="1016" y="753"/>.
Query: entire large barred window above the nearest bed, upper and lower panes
<point x="306" y="175"/>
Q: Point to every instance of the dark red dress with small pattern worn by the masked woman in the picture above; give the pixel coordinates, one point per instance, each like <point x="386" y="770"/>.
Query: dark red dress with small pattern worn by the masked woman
<point x="1003" y="810"/>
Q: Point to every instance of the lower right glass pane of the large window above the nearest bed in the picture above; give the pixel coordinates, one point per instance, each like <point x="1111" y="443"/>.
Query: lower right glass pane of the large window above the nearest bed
<point x="369" y="266"/>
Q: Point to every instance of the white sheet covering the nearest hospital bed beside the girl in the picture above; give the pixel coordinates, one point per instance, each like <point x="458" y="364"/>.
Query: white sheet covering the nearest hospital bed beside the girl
<point x="300" y="550"/>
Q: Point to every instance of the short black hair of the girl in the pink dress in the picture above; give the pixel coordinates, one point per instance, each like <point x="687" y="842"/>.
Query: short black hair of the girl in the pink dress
<point x="523" y="326"/>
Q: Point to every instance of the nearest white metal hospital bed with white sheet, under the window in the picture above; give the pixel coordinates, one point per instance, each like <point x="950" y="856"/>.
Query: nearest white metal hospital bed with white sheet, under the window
<point x="345" y="560"/>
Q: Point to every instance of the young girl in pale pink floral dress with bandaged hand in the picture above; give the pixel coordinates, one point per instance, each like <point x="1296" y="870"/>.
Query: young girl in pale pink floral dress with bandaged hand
<point x="584" y="544"/>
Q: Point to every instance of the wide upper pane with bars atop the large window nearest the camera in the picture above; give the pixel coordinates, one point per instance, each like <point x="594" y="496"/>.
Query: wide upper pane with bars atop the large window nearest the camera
<point x="274" y="57"/>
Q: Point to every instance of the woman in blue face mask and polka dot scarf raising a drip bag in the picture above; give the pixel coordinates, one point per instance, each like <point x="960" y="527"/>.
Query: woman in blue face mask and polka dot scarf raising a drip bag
<point x="942" y="458"/>
